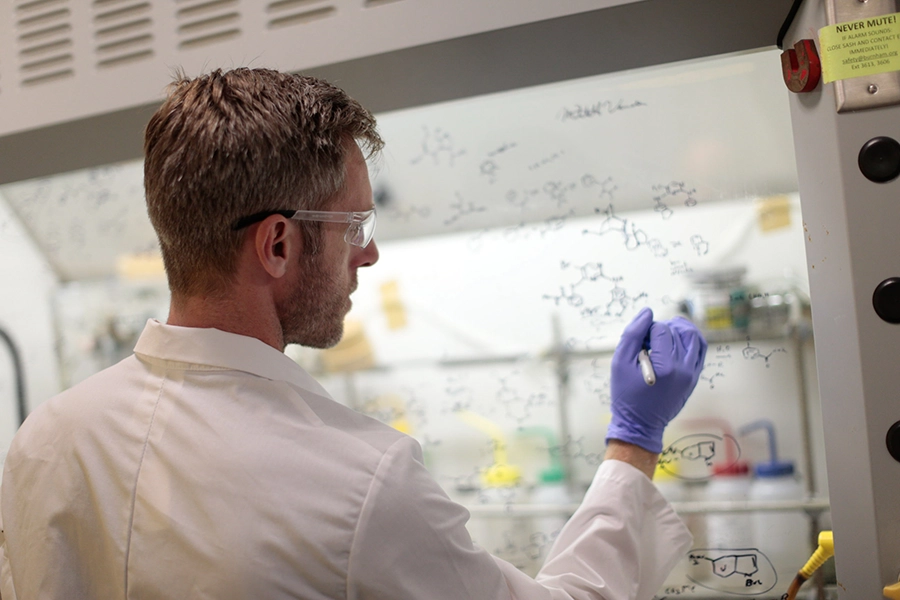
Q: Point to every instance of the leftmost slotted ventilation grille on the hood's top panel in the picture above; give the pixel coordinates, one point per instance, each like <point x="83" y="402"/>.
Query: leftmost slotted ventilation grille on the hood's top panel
<point x="44" y="36"/>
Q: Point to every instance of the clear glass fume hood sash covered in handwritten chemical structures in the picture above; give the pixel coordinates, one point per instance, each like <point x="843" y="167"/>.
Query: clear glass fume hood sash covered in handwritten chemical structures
<point x="519" y="233"/>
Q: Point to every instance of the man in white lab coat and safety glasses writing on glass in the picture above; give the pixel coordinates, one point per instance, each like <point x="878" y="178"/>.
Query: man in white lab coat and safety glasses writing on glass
<point x="209" y="465"/>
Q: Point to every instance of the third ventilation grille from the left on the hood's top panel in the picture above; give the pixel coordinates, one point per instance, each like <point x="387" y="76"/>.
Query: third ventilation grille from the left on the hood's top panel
<point x="202" y="22"/>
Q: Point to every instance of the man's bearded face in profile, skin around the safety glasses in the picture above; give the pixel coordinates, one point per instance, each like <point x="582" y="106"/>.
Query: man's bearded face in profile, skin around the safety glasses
<point x="312" y="312"/>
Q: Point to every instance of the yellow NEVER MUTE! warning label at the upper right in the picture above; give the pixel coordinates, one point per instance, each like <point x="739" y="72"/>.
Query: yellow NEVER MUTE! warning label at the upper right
<point x="863" y="47"/>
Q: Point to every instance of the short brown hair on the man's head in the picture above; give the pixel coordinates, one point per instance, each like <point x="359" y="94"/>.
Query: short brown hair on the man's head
<point x="235" y="143"/>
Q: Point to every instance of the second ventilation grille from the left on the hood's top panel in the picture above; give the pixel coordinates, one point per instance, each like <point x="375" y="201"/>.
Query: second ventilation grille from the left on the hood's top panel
<point x="122" y="31"/>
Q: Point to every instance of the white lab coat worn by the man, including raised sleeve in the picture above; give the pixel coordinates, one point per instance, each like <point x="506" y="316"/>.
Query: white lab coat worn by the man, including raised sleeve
<point x="210" y="465"/>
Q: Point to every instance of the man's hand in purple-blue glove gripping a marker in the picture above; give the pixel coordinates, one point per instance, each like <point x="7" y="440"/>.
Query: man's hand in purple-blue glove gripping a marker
<point x="640" y="412"/>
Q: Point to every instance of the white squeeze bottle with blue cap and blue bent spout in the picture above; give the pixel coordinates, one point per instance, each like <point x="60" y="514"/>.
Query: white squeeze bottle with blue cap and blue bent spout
<point x="782" y="536"/>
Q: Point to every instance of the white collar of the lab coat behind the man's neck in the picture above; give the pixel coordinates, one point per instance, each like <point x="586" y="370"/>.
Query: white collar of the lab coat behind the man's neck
<point x="197" y="348"/>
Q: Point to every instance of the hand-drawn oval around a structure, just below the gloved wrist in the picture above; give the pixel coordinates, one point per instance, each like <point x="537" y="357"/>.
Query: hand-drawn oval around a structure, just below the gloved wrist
<point x="693" y="457"/>
